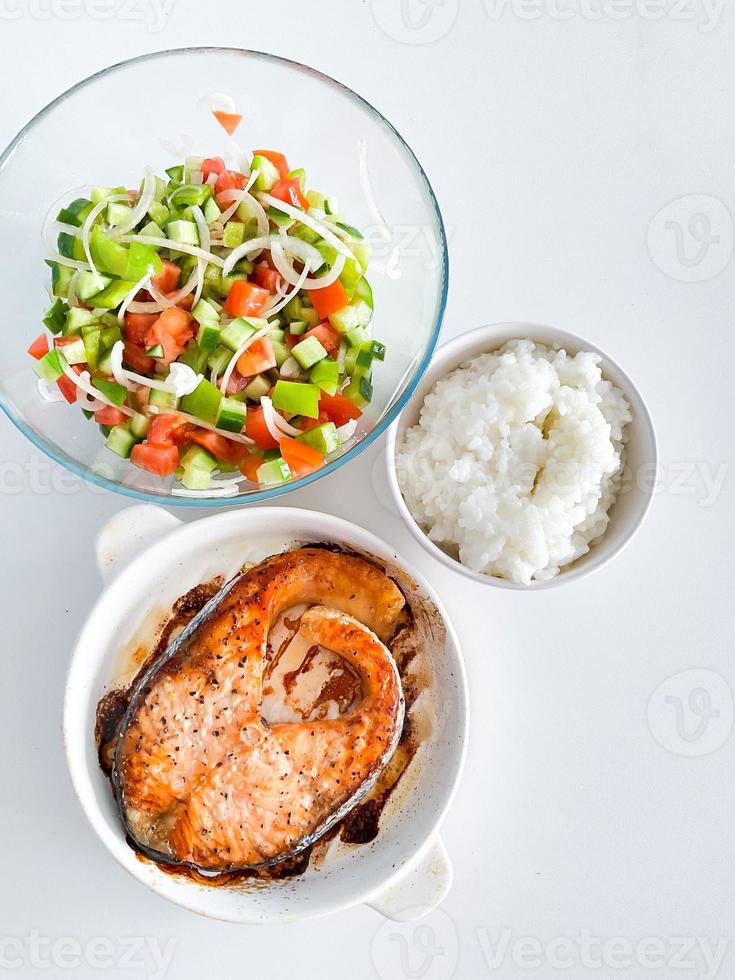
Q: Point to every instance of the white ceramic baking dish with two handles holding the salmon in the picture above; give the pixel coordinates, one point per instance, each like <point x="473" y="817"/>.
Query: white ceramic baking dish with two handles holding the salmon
<point x="149" y="559"/>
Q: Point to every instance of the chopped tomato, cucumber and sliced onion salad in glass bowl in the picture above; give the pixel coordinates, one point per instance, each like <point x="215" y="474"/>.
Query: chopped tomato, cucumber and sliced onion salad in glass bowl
<point x="216" y="324"/>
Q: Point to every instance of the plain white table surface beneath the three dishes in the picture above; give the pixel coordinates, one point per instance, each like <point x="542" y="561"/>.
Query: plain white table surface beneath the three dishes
<point x="552" y="142"/>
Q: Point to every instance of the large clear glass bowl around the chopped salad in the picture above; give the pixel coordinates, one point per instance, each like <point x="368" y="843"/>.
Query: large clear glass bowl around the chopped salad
<point x="156" y="110"/>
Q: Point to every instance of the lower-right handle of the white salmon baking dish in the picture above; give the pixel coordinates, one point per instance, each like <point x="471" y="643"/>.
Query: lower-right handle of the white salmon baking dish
<point x="420" y="888"/>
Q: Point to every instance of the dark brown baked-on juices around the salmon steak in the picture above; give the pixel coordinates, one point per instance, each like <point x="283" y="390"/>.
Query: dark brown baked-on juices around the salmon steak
<point x="362" y="824"/>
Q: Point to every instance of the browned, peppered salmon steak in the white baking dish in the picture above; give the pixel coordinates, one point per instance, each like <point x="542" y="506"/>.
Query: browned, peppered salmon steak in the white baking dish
<point x="201" y="778"/>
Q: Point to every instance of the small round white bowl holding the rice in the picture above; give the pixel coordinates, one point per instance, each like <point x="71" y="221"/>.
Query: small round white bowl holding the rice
<point x="634" y="499"/>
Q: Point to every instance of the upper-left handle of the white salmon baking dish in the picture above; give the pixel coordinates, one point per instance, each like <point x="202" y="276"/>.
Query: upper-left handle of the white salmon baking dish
<point x="128" y="533"/>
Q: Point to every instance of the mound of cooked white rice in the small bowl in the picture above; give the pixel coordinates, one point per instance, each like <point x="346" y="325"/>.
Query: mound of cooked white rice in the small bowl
<point x="516" y="460"/>
